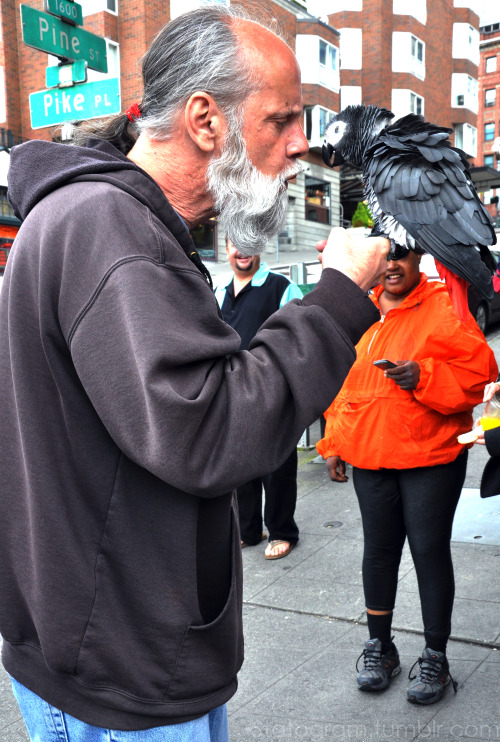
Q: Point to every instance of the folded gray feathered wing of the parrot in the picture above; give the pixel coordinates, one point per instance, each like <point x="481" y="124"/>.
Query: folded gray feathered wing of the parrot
<point x="425" y="185"/>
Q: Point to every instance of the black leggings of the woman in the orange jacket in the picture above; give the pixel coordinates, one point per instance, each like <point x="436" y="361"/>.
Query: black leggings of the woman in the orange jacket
<point x="419" y="504"/>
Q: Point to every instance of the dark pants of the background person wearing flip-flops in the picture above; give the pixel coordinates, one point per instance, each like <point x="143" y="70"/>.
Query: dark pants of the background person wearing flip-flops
<point x="281" y="497"/>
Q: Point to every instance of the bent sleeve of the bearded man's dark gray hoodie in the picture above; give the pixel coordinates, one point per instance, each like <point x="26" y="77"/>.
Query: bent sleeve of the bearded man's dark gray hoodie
<point x="163" y="374"/>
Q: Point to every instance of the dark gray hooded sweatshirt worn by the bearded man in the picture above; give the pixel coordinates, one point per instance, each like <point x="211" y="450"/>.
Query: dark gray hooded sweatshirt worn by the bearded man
<point x="128" y="417"/>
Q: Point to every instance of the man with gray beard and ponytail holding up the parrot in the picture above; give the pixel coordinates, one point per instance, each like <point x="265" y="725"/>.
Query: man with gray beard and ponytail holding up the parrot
<point x="128" y="414"/>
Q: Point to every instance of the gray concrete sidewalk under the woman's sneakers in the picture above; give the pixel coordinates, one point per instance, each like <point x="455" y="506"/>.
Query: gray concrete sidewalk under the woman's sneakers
<point x="305" y="627"/>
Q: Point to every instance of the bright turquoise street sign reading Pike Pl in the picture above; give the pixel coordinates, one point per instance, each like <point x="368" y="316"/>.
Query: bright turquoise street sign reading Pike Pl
<point x="87" y="101"/>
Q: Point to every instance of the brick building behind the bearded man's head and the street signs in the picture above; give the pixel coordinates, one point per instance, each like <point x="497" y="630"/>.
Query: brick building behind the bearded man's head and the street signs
<point x="128" y="27"/>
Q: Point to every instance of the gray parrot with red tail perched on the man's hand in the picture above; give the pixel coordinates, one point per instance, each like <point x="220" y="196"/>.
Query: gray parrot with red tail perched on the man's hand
<point x="419" y="190"/>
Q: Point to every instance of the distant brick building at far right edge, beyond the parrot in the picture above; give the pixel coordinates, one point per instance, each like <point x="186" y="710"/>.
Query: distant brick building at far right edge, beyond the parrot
<point x="488" y="148"/>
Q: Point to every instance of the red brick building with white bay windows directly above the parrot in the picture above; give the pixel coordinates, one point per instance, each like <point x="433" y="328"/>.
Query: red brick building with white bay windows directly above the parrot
<point x="409" y="56"/>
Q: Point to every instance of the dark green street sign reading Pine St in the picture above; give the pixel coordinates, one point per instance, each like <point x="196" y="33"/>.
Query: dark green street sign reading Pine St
<point x="51" y="35"/>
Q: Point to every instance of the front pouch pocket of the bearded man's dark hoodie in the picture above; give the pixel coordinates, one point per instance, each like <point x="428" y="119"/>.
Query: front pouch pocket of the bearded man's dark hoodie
<point x="210" y="655"/>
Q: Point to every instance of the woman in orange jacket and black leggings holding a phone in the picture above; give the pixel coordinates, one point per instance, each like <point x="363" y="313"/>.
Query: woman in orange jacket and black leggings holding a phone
<point x="398" y="427"/>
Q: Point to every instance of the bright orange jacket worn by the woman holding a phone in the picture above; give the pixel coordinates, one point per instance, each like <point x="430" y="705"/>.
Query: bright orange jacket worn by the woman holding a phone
<point x="373" y="424"/>
